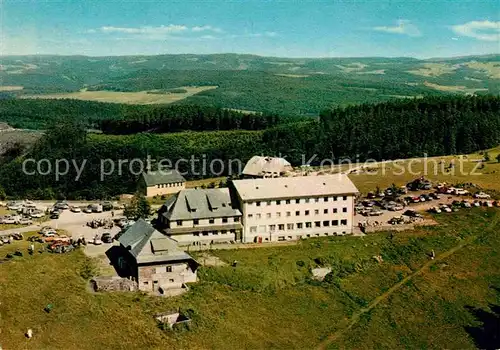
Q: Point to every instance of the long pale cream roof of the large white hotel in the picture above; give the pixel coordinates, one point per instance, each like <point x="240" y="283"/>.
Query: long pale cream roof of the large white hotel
<point x="293" y="187"/>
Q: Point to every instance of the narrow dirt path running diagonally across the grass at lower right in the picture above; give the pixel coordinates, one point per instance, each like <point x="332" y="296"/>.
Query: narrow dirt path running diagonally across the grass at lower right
<point x="357" y="315"/>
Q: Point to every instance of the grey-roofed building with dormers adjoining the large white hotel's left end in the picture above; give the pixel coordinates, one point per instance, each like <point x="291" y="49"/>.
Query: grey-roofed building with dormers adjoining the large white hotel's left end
<point x="201" y="216"/>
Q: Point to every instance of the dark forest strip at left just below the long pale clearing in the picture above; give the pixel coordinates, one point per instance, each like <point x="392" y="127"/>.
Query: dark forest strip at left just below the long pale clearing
<point x="122" y="119"/>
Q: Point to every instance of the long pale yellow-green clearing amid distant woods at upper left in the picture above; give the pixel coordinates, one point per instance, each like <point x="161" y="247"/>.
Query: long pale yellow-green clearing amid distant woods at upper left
<point x="140" y="97"/>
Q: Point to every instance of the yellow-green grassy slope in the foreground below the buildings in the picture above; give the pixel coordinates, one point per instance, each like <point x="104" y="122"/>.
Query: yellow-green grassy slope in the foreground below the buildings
<point x="266" y="302"/>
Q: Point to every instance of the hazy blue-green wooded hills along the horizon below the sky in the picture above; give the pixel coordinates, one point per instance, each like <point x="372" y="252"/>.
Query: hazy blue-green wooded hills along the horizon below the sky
<point x="256" y="83"/>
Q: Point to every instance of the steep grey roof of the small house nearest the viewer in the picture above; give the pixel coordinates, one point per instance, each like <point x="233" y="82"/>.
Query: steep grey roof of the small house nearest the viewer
<point x="146" y="245"/>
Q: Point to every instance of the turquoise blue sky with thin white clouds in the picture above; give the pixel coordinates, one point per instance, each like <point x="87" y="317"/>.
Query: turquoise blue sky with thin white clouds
<point x="286" y="28"/>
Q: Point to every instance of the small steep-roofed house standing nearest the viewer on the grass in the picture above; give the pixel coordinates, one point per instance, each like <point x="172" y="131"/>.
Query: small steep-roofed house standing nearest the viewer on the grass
<point x="154" y="260"/>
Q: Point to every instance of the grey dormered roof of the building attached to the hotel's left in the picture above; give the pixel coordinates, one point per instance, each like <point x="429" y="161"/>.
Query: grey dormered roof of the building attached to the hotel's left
<point x="200" y="204"/>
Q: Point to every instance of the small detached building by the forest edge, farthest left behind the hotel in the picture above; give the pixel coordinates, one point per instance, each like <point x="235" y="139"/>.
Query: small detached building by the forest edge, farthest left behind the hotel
<point x="157" y="183"/>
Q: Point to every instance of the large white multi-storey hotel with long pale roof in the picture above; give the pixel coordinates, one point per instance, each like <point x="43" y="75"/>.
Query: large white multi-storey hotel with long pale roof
<point x="289" y="208"/>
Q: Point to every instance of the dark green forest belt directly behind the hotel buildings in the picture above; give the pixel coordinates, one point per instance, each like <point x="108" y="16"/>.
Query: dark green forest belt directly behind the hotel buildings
<point x="436" y="126"/>
